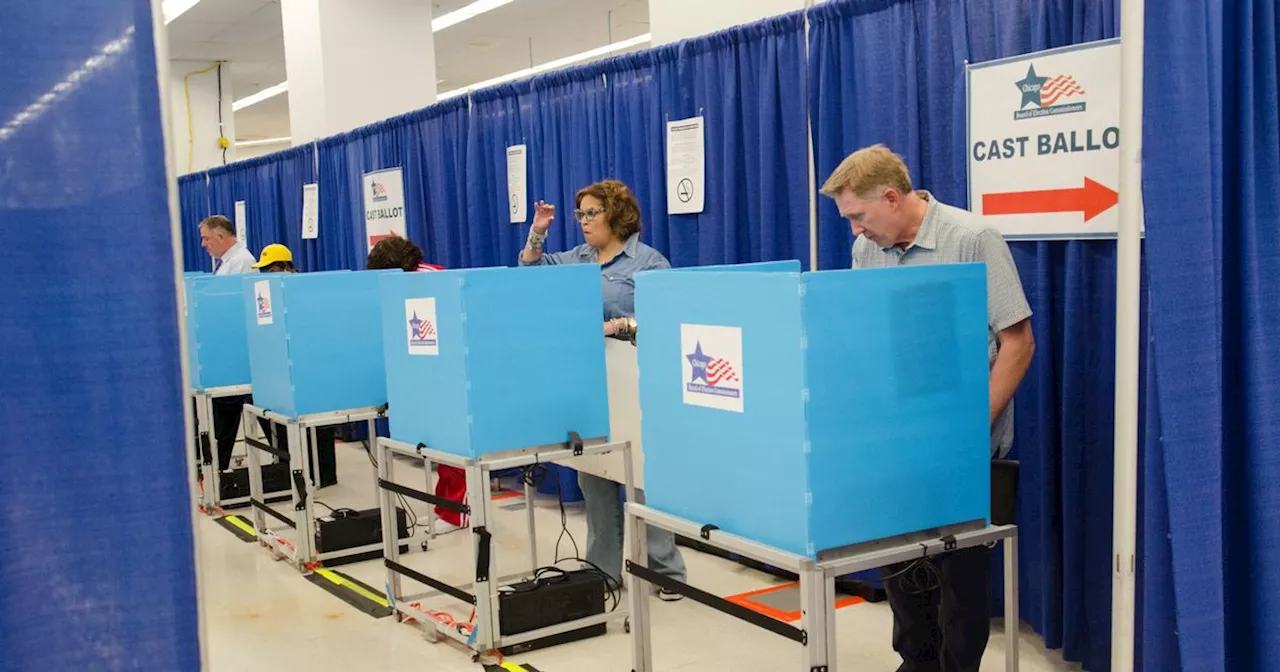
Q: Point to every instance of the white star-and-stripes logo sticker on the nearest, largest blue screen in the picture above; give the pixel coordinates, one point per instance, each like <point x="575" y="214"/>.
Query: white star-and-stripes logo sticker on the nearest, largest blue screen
<point x="711" y="359"/>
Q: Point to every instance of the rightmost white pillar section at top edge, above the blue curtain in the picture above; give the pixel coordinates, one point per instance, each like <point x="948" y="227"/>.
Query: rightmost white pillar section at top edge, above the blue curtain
<point x="671" y="21"/>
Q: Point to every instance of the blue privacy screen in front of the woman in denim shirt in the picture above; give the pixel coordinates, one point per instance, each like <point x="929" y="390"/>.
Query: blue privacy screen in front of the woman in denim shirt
<point x="491" y="360"/>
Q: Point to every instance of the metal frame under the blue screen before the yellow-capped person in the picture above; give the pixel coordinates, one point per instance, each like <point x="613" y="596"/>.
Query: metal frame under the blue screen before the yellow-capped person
<point x="301" y="551"/>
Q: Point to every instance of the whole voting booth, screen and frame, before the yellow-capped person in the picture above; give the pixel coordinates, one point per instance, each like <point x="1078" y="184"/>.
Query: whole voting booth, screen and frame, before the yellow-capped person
<point x="316" y="355"/>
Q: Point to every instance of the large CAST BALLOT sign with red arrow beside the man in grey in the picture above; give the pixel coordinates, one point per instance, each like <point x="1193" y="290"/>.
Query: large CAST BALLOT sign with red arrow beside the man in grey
<point x="1044" y="143"/>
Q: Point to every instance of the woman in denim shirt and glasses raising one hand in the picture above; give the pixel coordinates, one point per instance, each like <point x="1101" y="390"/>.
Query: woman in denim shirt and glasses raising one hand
<point x="610" y="217"/>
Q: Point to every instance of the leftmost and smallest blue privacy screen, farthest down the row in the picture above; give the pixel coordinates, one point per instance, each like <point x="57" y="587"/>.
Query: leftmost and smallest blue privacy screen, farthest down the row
<point x="217" y="344"/>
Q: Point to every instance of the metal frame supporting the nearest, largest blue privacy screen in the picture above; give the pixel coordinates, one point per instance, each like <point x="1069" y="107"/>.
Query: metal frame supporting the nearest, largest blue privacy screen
<point x="817" y="632"/>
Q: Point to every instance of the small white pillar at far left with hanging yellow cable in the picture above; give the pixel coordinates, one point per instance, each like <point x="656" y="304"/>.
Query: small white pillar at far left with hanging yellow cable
<point x="202" y="143"/>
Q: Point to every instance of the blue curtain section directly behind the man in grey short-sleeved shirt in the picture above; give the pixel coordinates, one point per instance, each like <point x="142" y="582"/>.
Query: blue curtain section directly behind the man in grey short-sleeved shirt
<point x="893" y="72"/>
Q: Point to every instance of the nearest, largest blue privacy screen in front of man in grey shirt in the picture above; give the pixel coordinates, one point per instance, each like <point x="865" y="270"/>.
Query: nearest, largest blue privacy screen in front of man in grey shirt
<point x="813" y="412"/>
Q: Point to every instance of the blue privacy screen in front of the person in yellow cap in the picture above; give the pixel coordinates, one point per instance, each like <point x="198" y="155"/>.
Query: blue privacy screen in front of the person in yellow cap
<point x="316" y="341"/>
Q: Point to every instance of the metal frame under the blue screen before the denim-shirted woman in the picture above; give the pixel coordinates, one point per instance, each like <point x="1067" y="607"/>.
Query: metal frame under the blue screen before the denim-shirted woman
<point x="486" y="591"/>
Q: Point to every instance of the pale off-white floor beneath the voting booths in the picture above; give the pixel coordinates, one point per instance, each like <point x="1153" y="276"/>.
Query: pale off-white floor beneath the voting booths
<point x="263" y="615"/>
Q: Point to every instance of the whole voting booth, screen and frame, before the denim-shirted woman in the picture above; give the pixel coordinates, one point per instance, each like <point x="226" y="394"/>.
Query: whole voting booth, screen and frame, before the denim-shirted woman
<point x="491" y="371"/>
